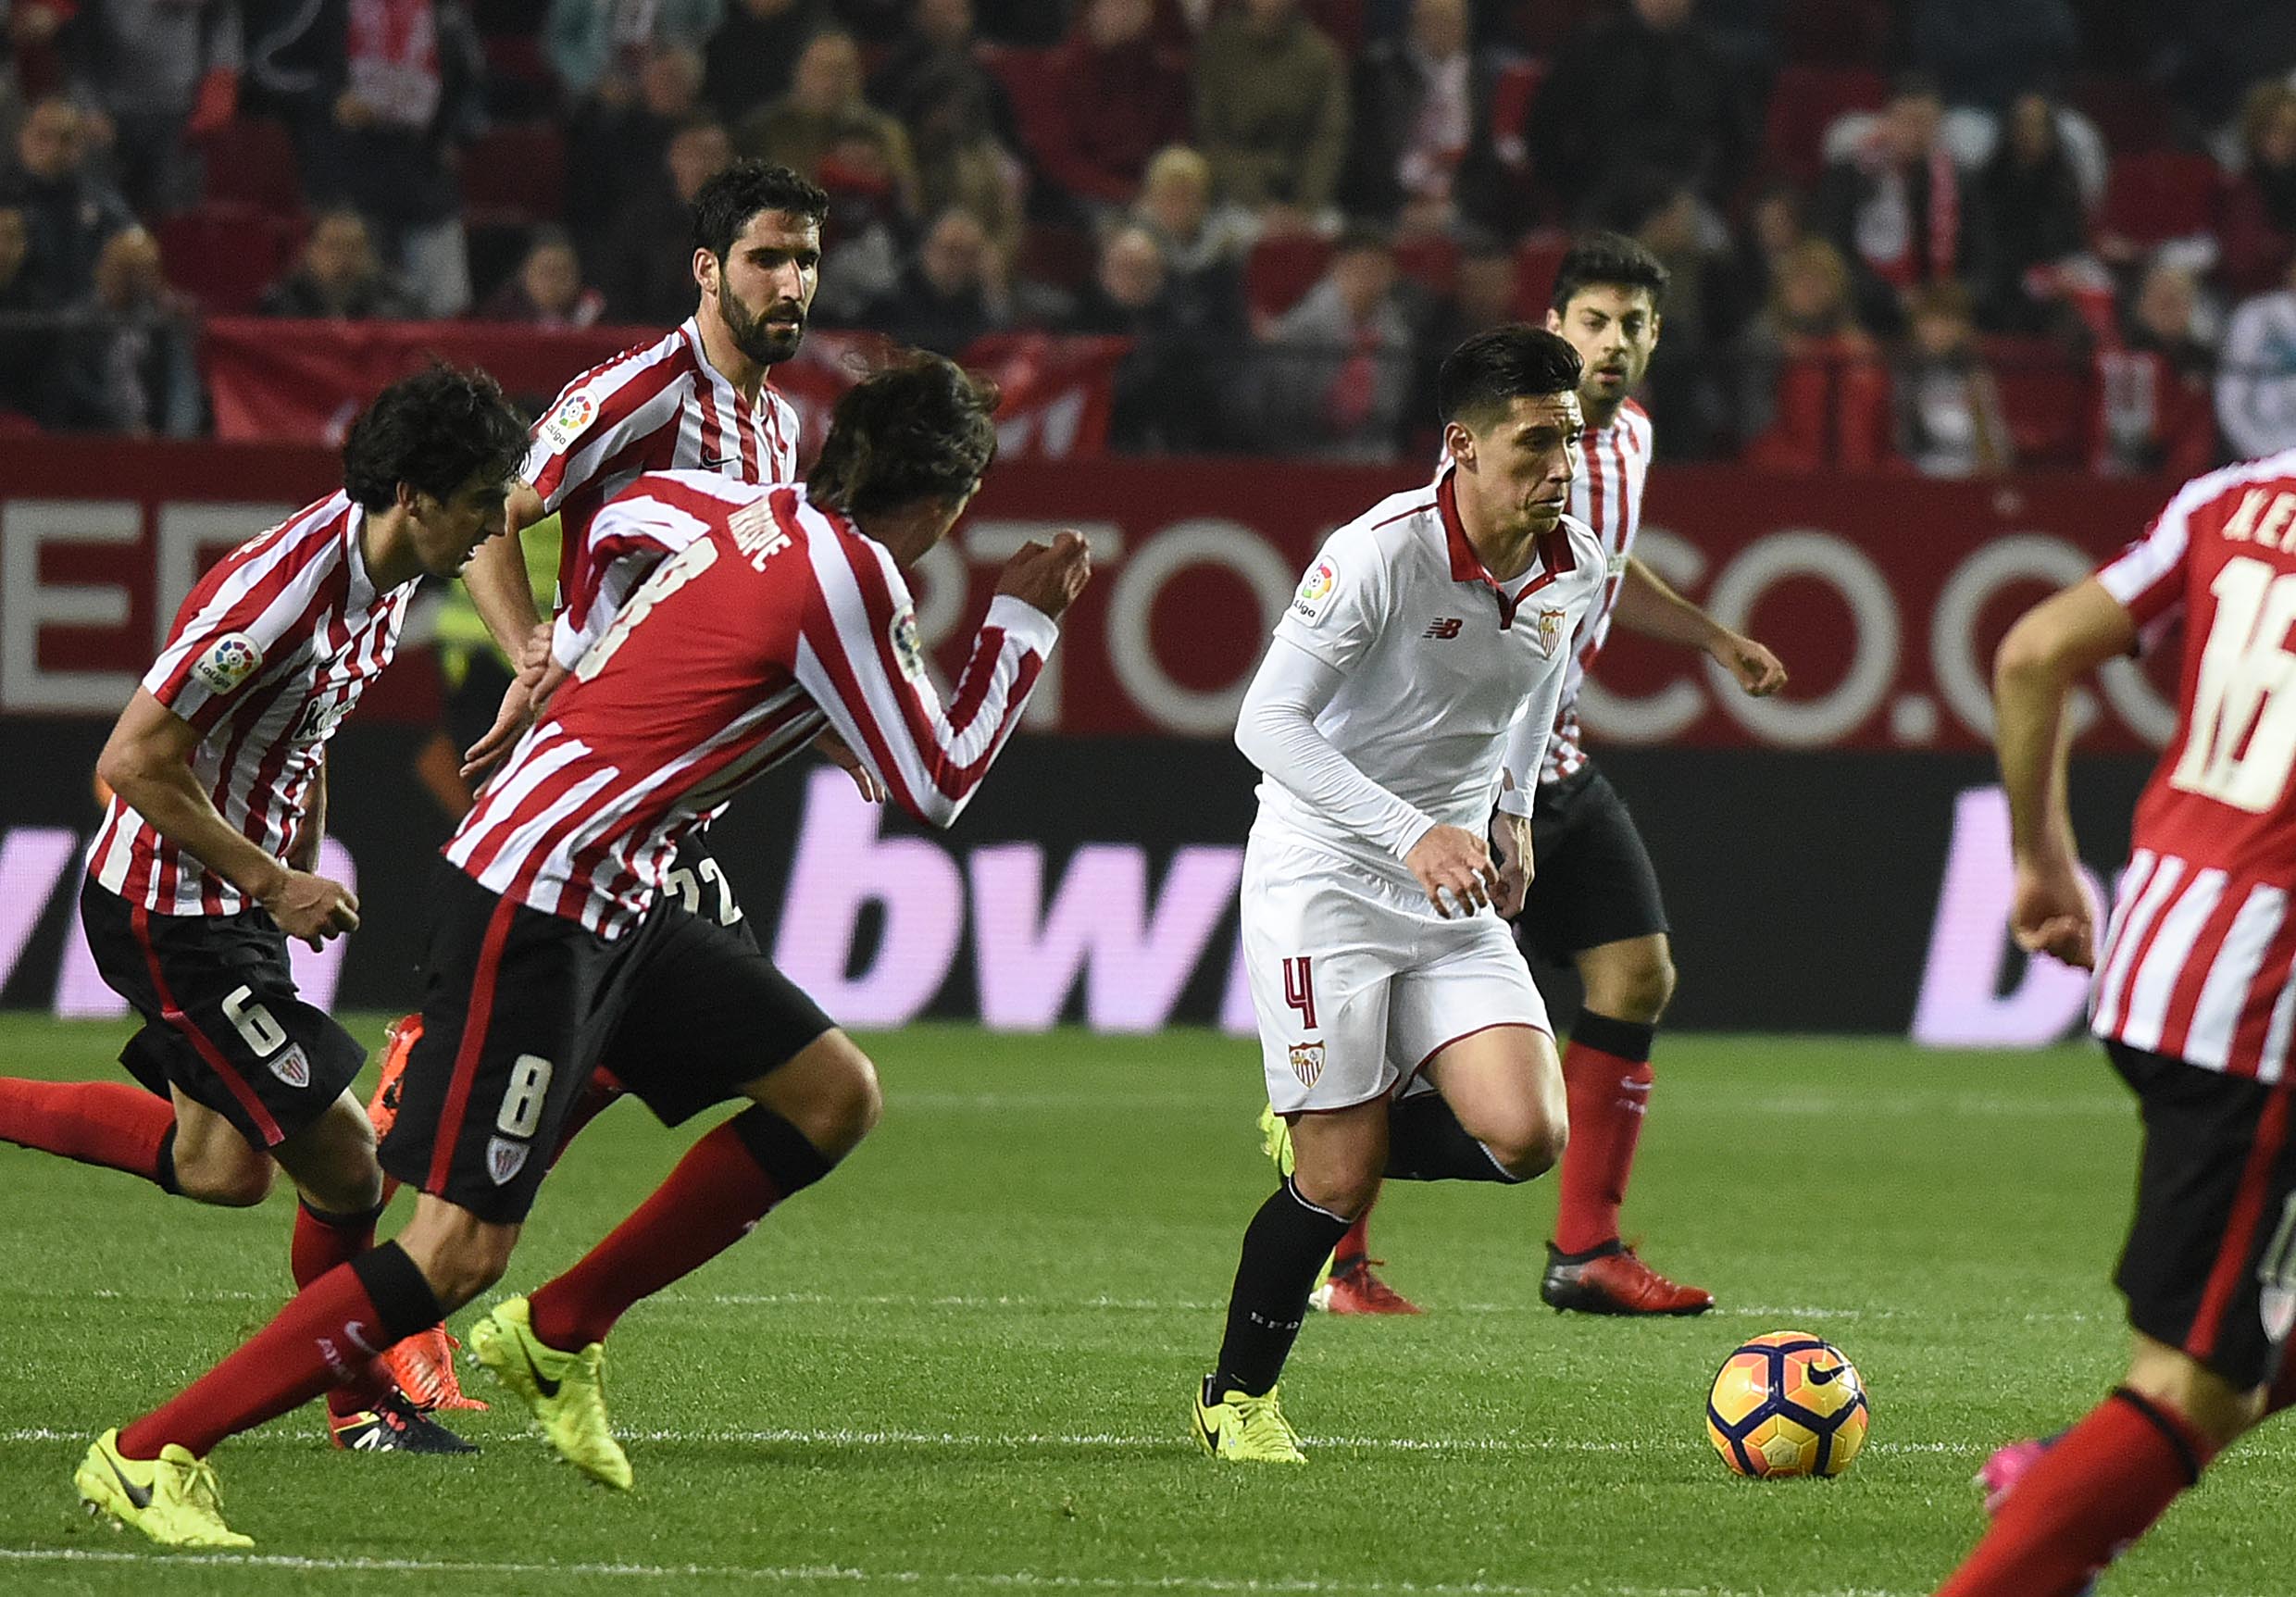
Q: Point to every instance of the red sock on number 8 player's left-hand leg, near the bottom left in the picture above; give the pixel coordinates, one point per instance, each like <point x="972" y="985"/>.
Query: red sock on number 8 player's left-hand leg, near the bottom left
<point x="323" y="1339"/>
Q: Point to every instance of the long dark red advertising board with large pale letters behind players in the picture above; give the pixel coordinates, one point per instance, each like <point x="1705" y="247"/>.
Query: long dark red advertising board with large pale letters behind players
<point x="1884" y="595"/>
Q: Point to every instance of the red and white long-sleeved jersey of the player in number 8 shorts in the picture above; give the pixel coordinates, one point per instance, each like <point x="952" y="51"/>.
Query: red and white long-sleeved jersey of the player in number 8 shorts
<point x="779" y="621"/>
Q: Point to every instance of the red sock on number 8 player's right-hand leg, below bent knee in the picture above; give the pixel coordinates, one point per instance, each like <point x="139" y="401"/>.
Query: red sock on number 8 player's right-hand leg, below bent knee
<point x="708" y="1203"/>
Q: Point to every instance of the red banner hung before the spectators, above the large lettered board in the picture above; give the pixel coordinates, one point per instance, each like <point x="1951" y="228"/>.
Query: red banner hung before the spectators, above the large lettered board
<point x="302" y="382"/>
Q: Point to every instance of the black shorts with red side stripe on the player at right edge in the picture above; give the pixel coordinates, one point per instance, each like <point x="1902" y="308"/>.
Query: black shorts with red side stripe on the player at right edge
<point x="2212" y="1254"/>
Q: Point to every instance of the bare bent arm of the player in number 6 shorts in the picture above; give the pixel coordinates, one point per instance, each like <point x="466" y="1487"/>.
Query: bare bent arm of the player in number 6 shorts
<point x="148" y="763"/>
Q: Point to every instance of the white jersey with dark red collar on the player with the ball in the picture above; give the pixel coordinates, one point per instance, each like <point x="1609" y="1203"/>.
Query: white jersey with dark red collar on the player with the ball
<point x="1438" y="662"/>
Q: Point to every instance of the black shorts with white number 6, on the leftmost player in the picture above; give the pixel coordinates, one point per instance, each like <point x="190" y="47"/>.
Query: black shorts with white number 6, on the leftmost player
<point x="222" y="1018"/>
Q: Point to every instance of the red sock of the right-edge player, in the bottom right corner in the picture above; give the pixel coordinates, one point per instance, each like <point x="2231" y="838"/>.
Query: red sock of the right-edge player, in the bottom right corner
<point x="2095" y="1493"/>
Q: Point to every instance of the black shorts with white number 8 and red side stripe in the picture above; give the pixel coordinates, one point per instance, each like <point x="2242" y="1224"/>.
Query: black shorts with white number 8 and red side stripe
<point x="522" y="1006"/>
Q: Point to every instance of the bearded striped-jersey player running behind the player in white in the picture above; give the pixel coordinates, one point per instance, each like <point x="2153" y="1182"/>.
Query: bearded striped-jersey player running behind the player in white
<point x="1595" y="903"/>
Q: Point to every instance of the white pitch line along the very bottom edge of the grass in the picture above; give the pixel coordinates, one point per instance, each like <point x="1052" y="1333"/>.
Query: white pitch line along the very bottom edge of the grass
<point x="837" y="1575"/>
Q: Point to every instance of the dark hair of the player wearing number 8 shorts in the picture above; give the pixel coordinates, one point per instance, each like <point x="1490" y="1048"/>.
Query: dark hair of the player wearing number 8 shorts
<point x="917" y="430"/>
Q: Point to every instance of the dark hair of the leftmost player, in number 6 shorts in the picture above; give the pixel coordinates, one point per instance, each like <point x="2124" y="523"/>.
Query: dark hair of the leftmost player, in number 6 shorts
<point x="433" y="433"/>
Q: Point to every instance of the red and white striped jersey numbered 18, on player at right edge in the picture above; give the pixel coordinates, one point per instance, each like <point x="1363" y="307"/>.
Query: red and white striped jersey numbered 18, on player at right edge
<point x="2201" y="946"/>
